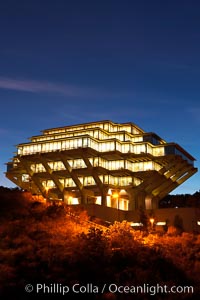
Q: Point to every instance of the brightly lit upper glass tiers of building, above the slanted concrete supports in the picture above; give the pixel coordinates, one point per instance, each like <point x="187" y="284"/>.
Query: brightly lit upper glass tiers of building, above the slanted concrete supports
<point x="104" y="136"/>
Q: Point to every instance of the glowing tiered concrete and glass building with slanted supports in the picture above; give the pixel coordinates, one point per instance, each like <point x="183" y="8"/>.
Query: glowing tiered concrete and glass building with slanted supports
<point x="104" y="163"/>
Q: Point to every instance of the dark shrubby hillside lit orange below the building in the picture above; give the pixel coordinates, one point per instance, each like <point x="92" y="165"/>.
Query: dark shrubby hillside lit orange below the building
<point x="45" y="243"/>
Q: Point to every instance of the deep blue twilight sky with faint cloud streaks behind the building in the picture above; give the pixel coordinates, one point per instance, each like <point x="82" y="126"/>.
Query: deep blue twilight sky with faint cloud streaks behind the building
<point x="66" y="62"/>
